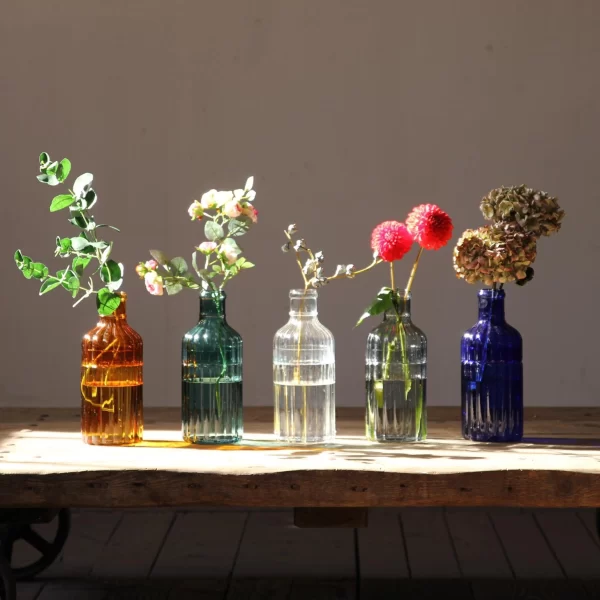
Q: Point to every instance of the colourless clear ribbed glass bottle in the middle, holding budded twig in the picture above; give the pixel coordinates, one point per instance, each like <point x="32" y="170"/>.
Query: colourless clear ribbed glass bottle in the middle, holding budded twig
<point x="304" y="375"/>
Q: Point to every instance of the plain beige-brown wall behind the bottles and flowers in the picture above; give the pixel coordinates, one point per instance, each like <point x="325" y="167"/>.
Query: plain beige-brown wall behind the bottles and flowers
<point x="348" y="112"/>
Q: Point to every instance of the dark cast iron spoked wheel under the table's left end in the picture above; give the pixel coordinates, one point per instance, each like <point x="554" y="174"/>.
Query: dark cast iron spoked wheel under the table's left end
<point x="49" y="549"/>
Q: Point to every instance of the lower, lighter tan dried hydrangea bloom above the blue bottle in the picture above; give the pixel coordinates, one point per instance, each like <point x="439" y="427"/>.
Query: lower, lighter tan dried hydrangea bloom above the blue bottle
<point x="491" y="255"/>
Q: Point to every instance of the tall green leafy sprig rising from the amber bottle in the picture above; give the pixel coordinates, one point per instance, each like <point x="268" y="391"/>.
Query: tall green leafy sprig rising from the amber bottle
<point x="81" y="249"/>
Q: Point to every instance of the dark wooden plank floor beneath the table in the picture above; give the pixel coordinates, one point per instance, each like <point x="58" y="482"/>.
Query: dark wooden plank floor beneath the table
<point x="233" y="554"/>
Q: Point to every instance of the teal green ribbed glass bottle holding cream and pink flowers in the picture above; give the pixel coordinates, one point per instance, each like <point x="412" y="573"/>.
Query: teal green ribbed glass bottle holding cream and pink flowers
<point x="211" y="410"/>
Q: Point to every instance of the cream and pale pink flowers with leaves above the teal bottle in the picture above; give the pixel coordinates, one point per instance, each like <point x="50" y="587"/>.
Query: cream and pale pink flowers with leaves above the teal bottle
<point x="229" y="215"/>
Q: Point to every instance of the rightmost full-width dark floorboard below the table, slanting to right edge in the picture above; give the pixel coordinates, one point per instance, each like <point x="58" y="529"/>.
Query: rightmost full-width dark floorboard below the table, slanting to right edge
<point x="573" y="546"/>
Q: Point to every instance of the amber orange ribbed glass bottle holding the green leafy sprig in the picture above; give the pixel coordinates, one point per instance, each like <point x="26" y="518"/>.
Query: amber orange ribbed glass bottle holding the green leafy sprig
<point x="111" y="381"/>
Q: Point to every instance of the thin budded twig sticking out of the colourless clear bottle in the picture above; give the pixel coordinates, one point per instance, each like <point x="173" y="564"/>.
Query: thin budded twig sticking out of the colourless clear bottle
<point x="312" y="270"/>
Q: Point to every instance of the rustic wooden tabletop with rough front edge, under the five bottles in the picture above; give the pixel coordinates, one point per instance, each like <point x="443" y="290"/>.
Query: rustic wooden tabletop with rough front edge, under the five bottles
<point x="43" y="463"/>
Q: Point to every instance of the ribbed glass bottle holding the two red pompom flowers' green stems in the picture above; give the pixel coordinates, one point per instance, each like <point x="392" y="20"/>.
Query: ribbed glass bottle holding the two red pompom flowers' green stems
<point x="396" y="378"/>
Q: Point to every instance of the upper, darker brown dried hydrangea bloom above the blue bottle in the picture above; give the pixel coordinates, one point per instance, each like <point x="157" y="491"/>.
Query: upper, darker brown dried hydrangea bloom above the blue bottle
<point x="532" y="211"/>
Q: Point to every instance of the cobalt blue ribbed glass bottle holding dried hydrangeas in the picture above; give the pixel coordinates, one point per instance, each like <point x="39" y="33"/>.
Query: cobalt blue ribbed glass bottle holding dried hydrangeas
<point x="492" y="375"/>
